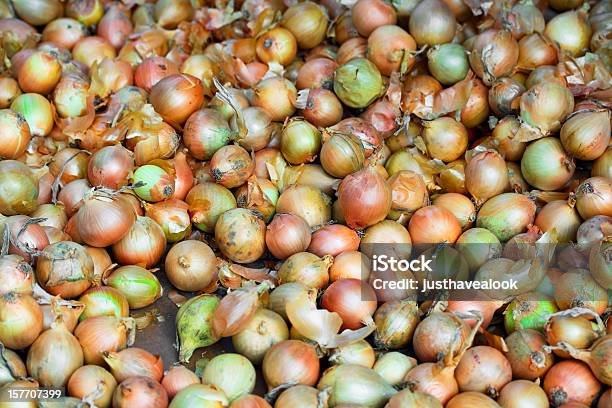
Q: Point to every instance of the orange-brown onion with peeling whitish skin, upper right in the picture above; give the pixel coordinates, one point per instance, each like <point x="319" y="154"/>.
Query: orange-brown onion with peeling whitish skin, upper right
<point x="494" y="55"/>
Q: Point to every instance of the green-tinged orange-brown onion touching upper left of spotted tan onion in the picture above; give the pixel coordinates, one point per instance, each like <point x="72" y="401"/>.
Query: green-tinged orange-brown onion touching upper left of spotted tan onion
<point x="207" y="201"/>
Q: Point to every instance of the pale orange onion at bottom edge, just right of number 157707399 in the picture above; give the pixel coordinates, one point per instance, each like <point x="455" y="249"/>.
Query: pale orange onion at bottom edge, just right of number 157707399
<point x="92" y="380"/>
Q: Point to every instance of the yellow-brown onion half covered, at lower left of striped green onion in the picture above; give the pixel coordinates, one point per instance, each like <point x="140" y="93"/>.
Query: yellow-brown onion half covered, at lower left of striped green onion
<point x="104" y="301"/>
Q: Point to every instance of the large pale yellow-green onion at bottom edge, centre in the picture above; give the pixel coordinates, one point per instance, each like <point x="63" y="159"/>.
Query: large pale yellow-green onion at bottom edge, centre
<point x="353" y="384"/>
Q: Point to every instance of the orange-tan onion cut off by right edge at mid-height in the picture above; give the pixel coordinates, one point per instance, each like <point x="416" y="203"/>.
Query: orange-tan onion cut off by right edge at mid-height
<point x="593" y="197"/>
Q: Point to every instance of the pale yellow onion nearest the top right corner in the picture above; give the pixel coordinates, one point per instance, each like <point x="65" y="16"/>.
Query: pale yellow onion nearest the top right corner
<point x="570" y="31"/>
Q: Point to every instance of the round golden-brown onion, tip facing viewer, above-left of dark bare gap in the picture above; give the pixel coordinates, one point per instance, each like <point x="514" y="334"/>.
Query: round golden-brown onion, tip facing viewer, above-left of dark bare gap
<point x="190" y="265"/>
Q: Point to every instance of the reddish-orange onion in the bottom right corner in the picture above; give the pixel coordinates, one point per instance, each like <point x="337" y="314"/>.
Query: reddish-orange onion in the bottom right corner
<point x="571" y="381"/>
